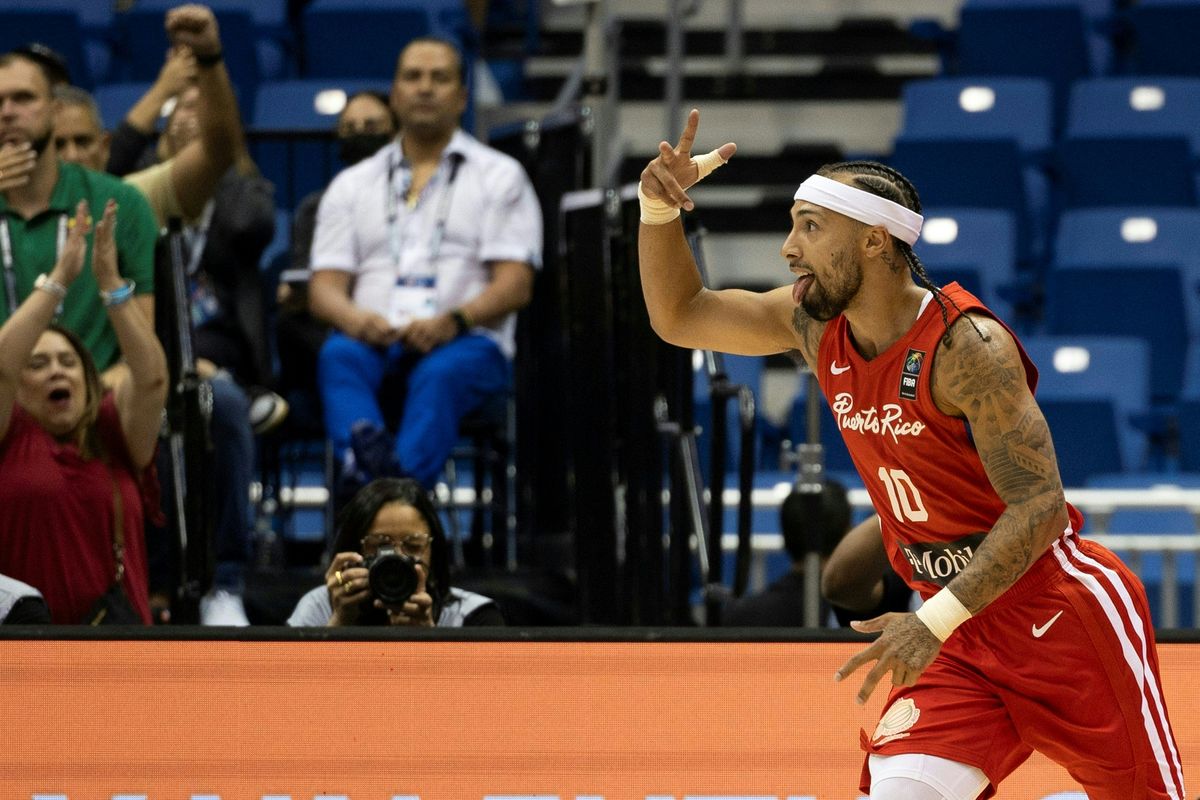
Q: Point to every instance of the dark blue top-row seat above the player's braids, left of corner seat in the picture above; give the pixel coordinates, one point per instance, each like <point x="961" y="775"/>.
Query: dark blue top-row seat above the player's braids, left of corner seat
<point x="1057" y="40"/>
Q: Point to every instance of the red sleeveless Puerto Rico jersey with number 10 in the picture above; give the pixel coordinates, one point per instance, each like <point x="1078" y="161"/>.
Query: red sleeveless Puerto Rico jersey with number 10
<point x="920" y="466"/>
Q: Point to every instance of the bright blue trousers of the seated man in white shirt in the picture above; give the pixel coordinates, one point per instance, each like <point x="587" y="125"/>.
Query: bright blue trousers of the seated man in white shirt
<point x="442" y="387"/>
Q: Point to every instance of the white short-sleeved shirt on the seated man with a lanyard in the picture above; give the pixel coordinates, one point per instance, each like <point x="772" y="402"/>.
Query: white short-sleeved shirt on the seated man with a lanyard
<point x="489" y="213"/>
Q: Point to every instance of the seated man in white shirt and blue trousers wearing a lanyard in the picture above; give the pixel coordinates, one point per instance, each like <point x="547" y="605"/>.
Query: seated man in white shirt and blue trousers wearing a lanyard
<point x="423" y="255"/>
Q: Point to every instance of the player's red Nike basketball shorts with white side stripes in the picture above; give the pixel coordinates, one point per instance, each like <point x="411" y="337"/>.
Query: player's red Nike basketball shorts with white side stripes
<point x="1064" y="664"/>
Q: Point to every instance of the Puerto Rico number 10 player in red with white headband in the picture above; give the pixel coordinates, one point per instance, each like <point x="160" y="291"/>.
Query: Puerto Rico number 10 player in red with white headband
<point x="1030" y="637"/>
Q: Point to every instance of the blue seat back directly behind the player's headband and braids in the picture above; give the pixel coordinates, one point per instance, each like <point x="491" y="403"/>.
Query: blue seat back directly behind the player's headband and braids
<point x="977" y="248"/>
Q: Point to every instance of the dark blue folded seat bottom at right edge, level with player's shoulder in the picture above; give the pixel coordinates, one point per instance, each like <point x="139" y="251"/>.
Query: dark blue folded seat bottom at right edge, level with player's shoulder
<point x="1119" y="299"/>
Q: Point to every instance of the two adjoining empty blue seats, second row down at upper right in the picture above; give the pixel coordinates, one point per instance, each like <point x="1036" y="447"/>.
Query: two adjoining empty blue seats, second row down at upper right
<point x="992" y="143"/>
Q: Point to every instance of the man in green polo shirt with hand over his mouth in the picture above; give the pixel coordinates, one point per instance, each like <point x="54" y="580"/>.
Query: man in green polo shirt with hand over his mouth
<point x="38" y="197"/>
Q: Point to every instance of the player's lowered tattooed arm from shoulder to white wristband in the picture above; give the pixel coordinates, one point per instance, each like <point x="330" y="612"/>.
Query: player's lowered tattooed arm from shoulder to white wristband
<point x="985" y="382"/>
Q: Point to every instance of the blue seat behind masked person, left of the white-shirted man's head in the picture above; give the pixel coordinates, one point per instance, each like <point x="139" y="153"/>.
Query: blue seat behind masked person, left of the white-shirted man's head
<point x="292" y="133"/>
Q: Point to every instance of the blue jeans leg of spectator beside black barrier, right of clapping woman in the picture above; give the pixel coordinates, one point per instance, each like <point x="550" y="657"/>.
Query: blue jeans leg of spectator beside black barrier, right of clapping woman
<point x="233" y="455"/>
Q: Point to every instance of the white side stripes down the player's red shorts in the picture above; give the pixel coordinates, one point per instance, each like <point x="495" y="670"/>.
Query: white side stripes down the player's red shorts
<point x="1135" y="657"/>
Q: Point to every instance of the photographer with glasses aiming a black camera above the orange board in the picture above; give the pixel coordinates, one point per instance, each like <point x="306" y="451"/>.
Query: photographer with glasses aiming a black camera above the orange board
<point x="392" y="567"/>
